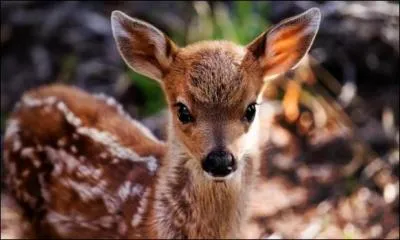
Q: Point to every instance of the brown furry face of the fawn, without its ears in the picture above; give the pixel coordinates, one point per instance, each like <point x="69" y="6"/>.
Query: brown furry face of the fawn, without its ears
<point x="212" y="90"/>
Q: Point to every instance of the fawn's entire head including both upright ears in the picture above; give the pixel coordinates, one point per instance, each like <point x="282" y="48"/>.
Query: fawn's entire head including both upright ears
<point x="212" y="87"/>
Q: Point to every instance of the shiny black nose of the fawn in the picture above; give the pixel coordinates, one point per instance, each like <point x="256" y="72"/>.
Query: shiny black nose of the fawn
<point x="219" y="163"/>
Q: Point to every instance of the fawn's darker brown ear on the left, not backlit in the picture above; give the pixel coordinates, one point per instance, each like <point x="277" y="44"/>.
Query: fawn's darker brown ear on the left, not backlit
<point x="142" y="46"/>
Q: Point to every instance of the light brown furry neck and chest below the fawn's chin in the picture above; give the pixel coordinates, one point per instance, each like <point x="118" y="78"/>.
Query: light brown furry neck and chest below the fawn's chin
<point x="189" y="205"/>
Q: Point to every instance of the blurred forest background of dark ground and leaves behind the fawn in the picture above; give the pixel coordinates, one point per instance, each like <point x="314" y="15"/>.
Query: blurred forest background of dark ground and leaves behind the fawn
<point x="332" y="168"/>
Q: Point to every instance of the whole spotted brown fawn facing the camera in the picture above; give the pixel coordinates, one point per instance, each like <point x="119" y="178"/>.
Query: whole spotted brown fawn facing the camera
<point x="82" y="168"/>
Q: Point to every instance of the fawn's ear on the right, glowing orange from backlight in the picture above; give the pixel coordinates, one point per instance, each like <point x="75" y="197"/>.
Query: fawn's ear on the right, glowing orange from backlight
<point x="284" y="45"/>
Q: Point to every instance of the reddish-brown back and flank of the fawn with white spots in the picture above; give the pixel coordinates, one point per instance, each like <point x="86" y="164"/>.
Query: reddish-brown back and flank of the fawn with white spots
<point x="83" y="164"/>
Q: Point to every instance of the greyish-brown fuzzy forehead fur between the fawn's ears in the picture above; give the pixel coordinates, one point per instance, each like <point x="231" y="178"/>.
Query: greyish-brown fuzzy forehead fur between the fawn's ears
<point x="213" y="71"/>
